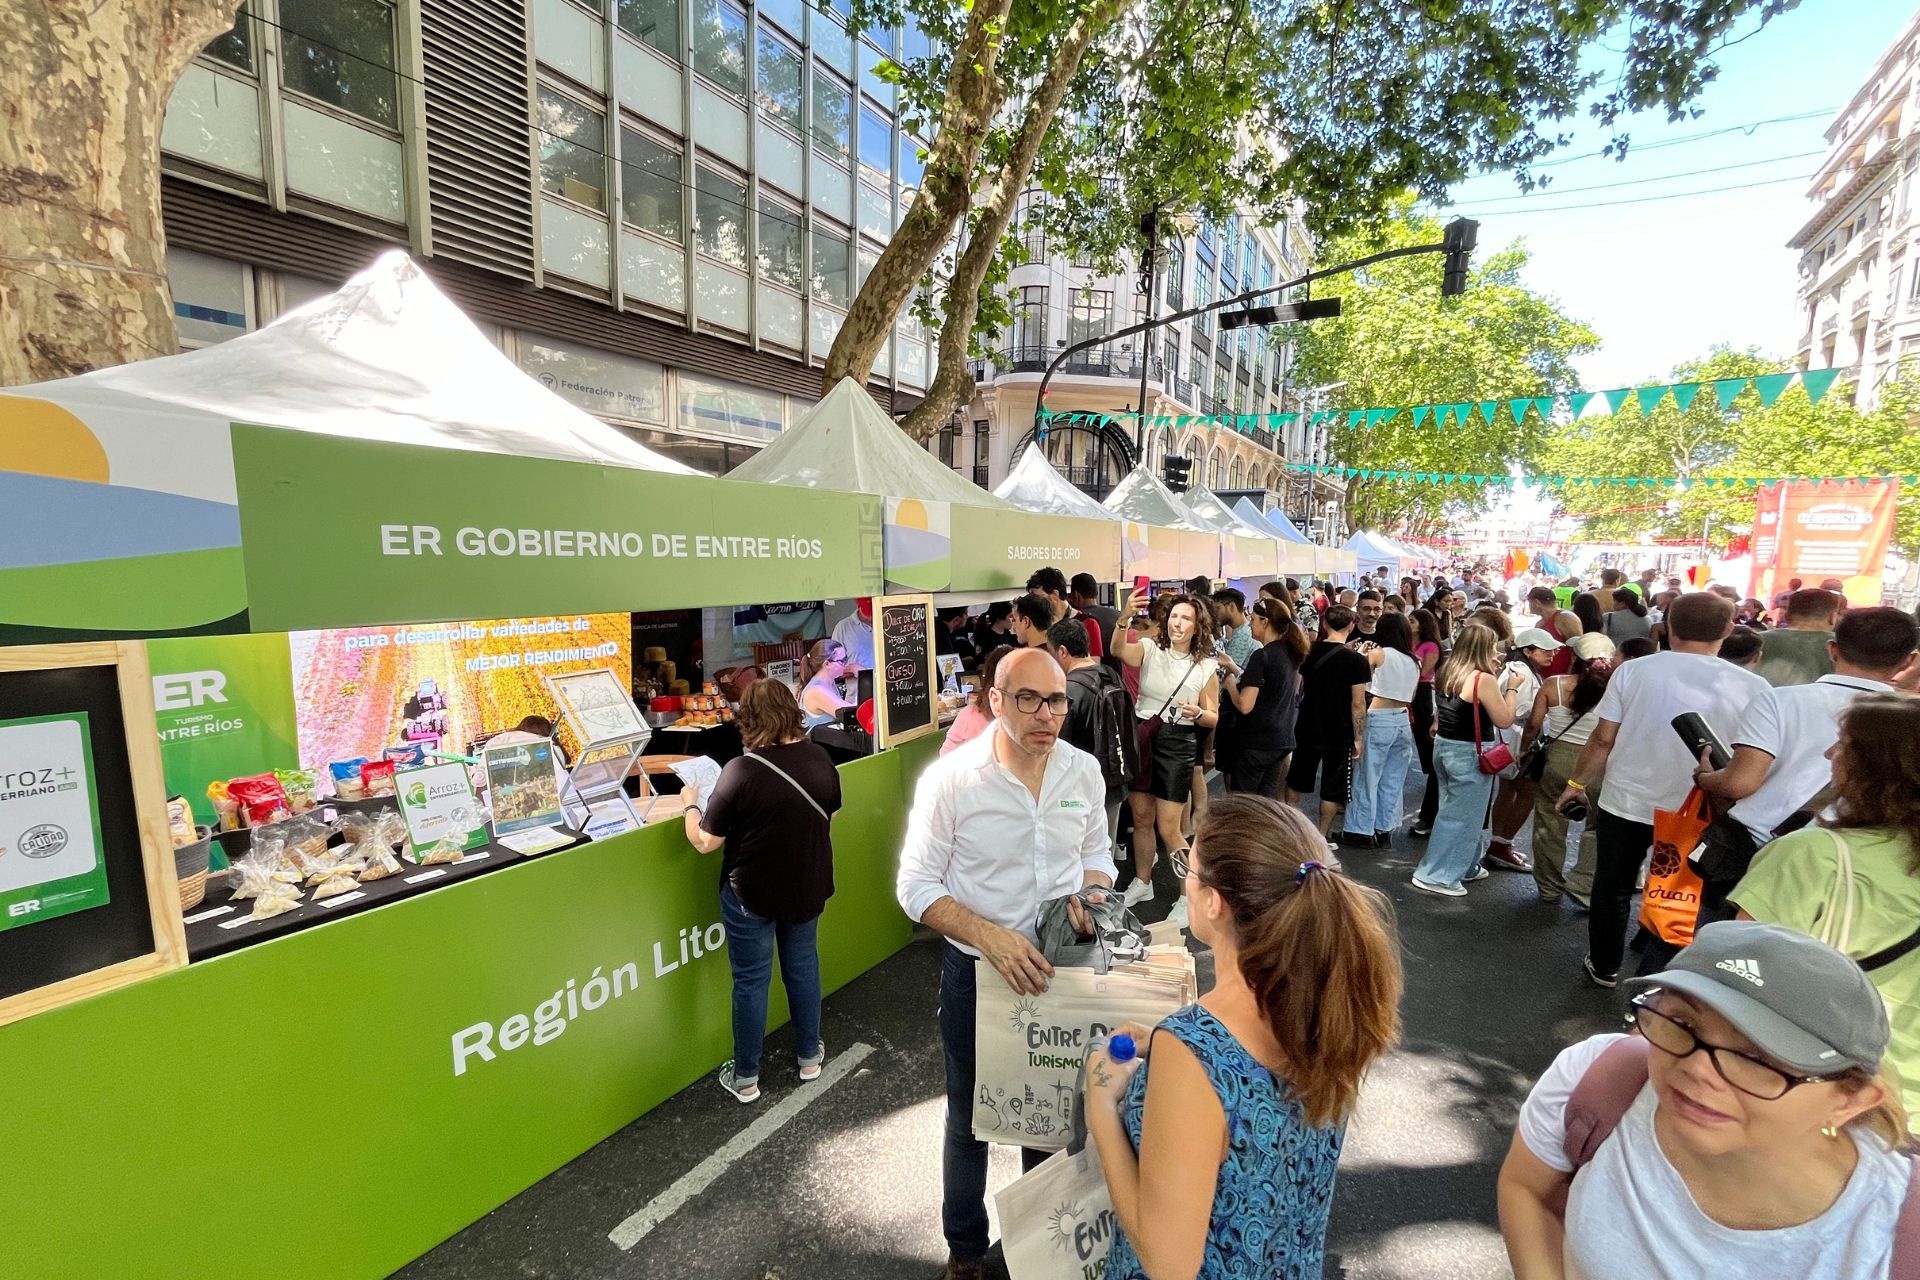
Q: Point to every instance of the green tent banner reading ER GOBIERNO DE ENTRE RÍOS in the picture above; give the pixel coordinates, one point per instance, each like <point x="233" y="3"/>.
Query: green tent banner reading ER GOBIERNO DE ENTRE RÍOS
<point x="347" y="533"/>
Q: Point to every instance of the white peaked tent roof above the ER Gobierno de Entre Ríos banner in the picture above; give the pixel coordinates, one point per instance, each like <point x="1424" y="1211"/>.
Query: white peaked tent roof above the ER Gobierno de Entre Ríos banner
<point x="385" y="358"/>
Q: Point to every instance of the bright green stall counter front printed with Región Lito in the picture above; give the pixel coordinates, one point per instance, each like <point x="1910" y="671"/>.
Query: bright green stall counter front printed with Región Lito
<point x="418" y="1064"/>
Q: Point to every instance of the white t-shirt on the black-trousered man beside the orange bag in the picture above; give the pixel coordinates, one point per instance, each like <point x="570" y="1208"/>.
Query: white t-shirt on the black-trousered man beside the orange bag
<point x="1650" y="767"/>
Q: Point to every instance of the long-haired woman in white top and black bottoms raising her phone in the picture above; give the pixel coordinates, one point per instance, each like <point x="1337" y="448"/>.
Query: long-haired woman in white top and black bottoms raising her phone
<point x="1180" y="686"/>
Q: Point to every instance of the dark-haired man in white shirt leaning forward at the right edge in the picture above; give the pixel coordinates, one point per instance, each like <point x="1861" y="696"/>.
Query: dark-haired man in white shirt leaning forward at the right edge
<point x="1781" y="746"/>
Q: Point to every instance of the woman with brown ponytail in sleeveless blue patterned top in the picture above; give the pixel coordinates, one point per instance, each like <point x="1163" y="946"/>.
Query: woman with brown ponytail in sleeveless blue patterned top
<point x="1220" y="1158"/>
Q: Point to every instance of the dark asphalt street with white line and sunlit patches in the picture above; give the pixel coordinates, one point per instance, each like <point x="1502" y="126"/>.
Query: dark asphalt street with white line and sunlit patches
<point x="850" y="1187"/>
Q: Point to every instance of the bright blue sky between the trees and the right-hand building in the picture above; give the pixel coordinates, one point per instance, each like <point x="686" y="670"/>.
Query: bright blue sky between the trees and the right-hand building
<point x="1666" y="281"/>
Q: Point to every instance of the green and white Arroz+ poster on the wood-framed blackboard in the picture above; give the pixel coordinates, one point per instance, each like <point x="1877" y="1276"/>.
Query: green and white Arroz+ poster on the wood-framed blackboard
<point x="49" y="820"/>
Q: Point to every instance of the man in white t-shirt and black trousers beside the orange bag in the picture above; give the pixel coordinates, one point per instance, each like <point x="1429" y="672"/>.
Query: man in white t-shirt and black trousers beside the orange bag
<point x="1652" y="770"/>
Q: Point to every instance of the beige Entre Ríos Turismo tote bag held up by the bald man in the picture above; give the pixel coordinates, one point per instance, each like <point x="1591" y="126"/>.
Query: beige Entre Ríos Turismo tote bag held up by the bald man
<point x="1030" y="1049"/>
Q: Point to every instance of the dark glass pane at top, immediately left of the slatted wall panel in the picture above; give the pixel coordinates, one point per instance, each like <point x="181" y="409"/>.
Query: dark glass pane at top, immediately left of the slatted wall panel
<point x="343" y="55"/>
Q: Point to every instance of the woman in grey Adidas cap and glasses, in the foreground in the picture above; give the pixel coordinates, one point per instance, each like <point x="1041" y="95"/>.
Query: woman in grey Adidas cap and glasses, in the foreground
<point x="1748" y="1131"/>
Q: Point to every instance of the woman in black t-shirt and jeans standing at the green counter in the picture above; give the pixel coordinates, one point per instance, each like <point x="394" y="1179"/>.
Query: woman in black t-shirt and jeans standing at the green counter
<point x="773" y="815"/>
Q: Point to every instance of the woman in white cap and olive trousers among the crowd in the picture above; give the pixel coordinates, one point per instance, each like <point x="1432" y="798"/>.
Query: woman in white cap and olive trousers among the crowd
<point x="1566" y="713"/>
